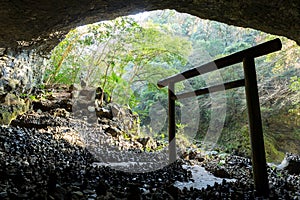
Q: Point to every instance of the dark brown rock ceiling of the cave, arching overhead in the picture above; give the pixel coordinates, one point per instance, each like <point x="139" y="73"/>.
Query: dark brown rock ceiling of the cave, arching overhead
<point x="45" y="22"/>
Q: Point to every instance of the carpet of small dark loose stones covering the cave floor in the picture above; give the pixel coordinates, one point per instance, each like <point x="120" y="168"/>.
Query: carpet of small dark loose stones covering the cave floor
<point x="38" y="163"/>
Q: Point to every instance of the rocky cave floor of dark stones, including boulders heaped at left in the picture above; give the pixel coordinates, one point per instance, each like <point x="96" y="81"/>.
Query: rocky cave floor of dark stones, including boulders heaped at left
<point x="45" y="155"/>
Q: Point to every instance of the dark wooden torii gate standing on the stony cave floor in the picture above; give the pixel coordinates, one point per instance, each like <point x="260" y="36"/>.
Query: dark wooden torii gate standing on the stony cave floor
<point x="254" y="116"/>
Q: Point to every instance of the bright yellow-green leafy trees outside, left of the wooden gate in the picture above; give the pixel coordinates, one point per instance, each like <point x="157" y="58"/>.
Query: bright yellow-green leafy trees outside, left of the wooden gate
<point x="115" y="55"/>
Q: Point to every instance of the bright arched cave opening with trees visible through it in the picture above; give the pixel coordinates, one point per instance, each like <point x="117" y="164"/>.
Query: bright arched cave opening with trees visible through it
<point x="124" y="58"/>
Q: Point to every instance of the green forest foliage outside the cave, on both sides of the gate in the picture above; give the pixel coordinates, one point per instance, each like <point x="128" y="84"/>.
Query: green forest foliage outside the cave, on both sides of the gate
<point x="127" y="58"/>
